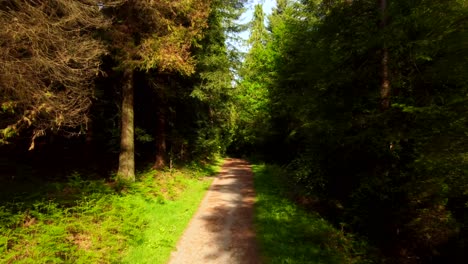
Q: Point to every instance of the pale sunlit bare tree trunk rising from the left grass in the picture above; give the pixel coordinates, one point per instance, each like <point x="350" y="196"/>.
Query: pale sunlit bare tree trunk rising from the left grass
<point x="126" y="170"/>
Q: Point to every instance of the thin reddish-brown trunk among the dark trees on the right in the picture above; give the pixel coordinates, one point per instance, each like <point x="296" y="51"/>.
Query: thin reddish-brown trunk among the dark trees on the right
<point x="385" y="88"/>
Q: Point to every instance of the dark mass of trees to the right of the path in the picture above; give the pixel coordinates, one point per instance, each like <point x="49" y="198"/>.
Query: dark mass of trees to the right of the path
<point x="366" y="106"/>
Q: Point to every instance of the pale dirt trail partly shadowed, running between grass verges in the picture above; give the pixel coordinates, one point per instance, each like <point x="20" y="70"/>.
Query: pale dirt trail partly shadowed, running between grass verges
<point x="222" y="229"/>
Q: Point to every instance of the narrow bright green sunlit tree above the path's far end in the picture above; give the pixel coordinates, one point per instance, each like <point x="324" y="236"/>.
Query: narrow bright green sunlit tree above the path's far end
<point x="252" y="106"/>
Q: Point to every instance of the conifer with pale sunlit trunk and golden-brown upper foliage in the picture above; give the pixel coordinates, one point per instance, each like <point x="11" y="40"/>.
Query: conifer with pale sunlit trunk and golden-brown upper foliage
<point x="151" y="35"/>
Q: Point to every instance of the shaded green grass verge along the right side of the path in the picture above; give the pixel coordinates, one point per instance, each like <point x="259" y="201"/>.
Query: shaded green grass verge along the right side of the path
<point x="289" y="234"/>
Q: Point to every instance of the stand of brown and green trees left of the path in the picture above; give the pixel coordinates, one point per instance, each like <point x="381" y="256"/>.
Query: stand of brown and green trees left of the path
<point x="113" y="81"/>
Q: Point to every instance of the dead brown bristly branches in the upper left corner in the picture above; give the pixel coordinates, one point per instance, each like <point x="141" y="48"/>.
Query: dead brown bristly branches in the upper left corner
<point x="48" y="62"/>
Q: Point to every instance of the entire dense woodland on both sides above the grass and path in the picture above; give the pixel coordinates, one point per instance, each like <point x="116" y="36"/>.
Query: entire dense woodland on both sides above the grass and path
<point x="363" y="102"/>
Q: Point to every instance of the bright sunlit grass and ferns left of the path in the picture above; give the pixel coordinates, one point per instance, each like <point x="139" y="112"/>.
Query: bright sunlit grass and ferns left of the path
<point x="83" y="221"/>
